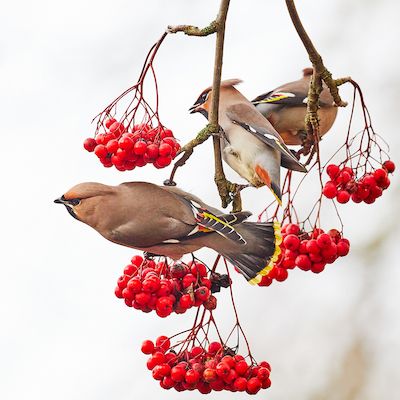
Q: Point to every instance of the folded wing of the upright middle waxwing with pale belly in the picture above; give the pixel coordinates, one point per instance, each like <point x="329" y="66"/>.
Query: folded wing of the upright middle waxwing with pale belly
<point x="249" y="118"/>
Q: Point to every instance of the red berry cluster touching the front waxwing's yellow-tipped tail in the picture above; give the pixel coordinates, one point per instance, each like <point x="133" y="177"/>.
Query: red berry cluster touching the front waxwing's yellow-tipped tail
<point x="307" y="251"/>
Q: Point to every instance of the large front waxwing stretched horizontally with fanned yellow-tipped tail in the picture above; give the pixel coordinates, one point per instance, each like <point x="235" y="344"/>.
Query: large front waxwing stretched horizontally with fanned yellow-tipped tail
<point x="168" y="221"/>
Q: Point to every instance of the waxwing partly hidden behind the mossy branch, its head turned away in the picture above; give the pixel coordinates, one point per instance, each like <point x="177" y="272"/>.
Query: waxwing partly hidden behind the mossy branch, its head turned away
<point x="286" y="107"/>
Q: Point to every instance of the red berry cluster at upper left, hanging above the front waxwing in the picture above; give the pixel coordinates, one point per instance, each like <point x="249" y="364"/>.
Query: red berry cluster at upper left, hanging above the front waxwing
<point x="129" y="149"/>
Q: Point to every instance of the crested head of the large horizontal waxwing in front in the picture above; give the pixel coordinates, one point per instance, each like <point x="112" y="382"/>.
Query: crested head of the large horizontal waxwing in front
<point x="80" y="201"/>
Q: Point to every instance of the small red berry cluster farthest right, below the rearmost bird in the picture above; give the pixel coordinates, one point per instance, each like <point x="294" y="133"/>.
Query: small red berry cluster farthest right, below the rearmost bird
<point x="345" y="186"/>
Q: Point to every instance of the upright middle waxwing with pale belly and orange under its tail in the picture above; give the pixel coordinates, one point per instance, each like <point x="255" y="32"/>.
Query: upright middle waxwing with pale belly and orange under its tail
<point x="250" y="145"/>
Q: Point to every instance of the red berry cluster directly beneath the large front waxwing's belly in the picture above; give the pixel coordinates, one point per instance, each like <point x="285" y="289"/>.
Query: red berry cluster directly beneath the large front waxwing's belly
<point x="148" y="285"/>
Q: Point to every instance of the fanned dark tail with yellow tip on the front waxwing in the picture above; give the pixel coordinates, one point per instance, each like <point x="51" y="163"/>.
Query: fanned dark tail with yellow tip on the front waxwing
<point x="256" y="258"/>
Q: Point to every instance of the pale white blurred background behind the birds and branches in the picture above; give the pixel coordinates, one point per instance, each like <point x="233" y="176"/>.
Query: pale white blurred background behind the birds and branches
<point x="63" y="333"/>
